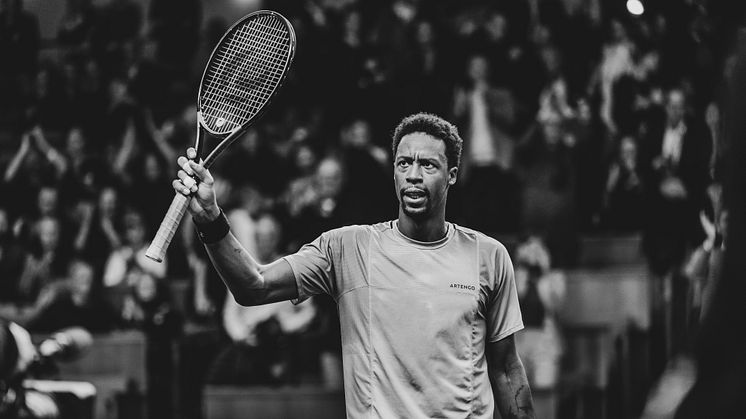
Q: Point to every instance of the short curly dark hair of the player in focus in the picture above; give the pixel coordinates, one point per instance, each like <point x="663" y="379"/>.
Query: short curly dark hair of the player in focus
<point x="435" y="126"/>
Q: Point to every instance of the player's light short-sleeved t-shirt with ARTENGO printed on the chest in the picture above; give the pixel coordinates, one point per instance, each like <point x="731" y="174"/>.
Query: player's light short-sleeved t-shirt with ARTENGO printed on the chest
<point x="415" y="317"/>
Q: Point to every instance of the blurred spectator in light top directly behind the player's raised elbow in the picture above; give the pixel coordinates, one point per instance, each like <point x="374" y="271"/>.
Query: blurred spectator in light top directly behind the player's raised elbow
<point x="267" y="341"/>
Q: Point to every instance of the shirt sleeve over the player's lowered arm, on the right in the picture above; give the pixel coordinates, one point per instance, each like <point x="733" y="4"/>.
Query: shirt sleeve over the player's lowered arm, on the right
<point x="503" y="311"/>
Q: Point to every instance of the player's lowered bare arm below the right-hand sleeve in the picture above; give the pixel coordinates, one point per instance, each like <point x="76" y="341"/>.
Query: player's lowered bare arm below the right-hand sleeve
<point x="509" y="382"/>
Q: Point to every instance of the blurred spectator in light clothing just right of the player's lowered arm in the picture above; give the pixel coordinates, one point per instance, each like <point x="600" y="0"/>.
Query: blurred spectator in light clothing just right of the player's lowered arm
<point x="541" y="291"/>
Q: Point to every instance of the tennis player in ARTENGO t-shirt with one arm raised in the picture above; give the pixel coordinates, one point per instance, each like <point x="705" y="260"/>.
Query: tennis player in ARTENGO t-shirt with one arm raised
<point x="427" y="308"/>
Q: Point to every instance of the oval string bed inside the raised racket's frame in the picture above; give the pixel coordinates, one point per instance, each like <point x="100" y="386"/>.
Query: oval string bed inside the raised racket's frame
<point x="244" y="72"/>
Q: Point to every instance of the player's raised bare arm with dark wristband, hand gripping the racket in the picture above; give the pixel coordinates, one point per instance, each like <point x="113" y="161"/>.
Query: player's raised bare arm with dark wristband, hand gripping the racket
<point x="250" y="282"/>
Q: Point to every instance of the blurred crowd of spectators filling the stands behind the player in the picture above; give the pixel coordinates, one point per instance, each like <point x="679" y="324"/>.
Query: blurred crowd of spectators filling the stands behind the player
<point x="577" y="117"/>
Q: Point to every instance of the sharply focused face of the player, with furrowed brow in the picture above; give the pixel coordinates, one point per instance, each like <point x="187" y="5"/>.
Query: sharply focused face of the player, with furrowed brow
<point x="422" y="176"/>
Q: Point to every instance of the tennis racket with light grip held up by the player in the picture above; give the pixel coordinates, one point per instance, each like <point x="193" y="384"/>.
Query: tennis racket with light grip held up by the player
<point x="243" y="74"/>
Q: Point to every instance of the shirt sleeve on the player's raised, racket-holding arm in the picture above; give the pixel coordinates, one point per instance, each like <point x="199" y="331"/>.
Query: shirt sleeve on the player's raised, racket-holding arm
<point x="313" y="267"/>
